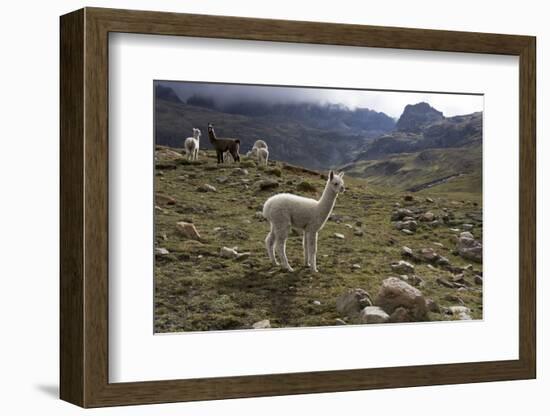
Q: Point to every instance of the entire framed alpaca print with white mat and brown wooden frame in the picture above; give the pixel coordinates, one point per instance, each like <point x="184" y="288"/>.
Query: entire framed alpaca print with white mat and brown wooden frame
<point x="255" y="207"/>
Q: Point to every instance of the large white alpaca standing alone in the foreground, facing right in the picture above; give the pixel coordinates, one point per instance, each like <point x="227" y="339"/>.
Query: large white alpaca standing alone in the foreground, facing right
<point x="284" y="211"/>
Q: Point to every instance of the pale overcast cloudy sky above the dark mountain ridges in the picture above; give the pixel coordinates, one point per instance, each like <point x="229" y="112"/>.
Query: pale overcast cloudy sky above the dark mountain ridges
<point x="389" y="102"/>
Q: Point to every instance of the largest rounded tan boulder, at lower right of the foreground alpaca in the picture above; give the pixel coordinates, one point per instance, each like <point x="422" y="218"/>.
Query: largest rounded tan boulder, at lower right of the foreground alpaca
<point x="395" y="293"/>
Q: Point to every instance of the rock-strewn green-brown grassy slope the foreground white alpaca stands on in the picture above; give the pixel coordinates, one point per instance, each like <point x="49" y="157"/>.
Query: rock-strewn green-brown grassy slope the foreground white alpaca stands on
<point x="198" y="289"/>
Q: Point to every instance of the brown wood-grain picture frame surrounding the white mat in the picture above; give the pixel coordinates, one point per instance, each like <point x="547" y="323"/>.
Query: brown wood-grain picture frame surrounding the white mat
<point x="84" y="207"/>
